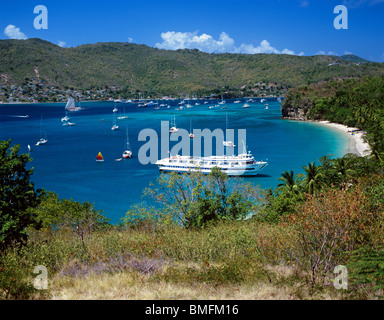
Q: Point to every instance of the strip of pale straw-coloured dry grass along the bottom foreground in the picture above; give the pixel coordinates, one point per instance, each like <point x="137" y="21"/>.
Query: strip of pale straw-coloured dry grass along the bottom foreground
<point x="128" y="286"/>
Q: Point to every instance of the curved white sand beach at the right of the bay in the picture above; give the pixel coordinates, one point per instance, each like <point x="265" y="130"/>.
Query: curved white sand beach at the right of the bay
<point x="357" y="144"/>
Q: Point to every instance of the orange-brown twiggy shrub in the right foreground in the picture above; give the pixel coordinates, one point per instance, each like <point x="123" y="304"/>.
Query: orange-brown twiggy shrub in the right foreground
<point x="327" y="225"/>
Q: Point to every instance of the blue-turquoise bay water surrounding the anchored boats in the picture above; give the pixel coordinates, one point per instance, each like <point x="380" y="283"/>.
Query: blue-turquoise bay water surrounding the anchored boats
<point x="67" y="166"/>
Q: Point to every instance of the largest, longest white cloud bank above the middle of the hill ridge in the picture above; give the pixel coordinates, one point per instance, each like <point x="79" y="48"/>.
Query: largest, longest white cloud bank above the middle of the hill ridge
<point x="191" y="40"/>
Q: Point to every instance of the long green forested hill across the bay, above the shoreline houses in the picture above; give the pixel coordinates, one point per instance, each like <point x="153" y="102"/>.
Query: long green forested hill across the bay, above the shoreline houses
<point x="139" y="67"/>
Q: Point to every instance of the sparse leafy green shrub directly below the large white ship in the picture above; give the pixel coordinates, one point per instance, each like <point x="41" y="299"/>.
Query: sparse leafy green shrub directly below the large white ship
<point x="195" y="201"/>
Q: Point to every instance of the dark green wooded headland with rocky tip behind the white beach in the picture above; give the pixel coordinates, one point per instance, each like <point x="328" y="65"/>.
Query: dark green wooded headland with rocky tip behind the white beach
<point x="353" y="102"/>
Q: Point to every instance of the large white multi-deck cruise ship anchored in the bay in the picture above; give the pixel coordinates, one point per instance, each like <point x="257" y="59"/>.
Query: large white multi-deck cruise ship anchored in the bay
<point x="240" y="165"/>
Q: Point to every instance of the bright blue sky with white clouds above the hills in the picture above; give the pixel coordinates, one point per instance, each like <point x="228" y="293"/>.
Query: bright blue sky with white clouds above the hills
<point x="301" y="27"/>
